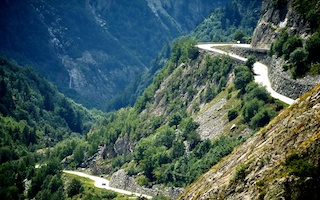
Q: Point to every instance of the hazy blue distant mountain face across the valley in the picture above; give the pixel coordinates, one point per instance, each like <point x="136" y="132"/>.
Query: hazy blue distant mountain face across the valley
<point x="92" y="49"/>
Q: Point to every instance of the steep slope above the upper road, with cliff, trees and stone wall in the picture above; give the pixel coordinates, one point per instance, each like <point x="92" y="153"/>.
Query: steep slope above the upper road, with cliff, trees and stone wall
<point x="281" y="23"/>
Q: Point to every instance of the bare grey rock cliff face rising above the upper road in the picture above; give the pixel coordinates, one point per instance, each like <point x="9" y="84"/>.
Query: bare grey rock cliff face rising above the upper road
<point x="275" y="18"/>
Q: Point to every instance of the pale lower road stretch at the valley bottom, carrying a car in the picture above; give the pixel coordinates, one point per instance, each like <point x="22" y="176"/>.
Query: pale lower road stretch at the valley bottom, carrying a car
<point x="104" y="183"/>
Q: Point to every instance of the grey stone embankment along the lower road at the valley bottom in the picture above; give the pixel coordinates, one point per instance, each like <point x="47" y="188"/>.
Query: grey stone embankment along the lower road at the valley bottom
<point x="121" y="180"/>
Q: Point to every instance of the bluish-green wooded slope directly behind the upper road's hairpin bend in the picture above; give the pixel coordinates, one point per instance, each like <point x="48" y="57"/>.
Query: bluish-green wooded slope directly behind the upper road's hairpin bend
<point x="234" y="21"/>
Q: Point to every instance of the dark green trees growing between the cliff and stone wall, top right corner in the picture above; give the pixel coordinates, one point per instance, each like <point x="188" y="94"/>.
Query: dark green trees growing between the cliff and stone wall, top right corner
<point x="301" y="55"/>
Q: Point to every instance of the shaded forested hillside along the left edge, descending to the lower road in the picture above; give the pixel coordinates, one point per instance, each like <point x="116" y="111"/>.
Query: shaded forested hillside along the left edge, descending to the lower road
<point x="34" y="118"/>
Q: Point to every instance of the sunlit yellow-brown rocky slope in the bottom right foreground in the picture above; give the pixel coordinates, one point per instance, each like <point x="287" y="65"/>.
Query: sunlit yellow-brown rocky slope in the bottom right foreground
<point x="280" y="161"/>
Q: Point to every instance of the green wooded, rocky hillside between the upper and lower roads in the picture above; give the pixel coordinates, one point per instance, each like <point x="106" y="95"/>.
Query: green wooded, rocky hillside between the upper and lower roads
<point x="157" y="141"/>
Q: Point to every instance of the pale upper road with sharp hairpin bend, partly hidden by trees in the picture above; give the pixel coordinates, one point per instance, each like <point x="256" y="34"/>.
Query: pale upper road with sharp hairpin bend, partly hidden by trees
<point x="260" y="70"/>
